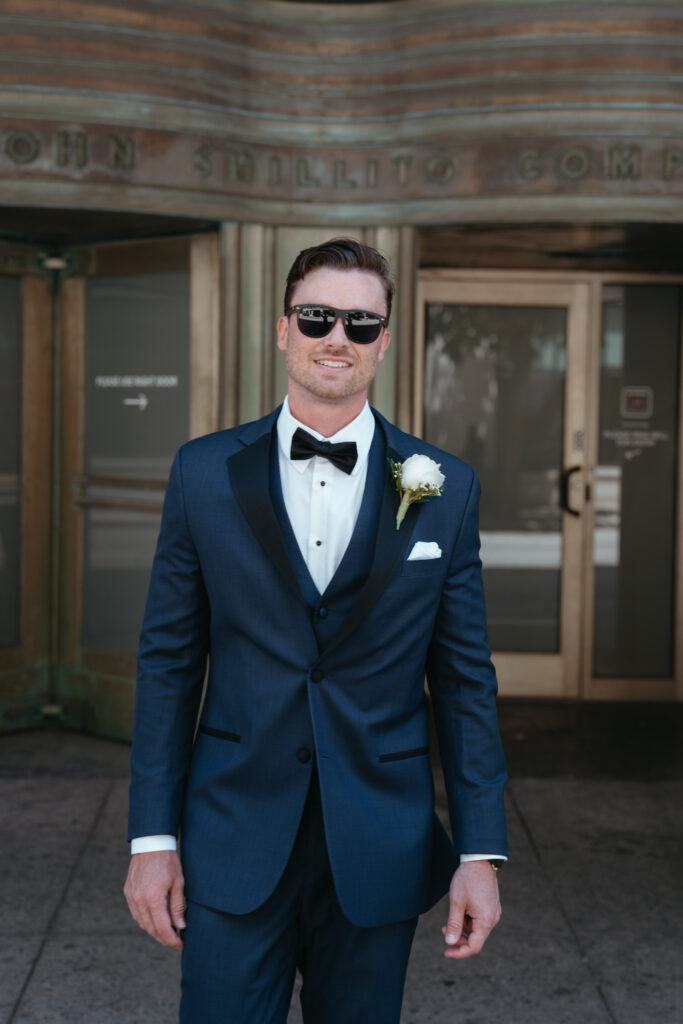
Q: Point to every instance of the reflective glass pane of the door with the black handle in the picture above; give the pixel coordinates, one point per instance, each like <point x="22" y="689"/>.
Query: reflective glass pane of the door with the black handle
<point x="495" y="395"/>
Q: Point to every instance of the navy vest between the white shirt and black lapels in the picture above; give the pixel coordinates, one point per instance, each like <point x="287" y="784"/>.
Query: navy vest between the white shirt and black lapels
<point x="329" y="611"/>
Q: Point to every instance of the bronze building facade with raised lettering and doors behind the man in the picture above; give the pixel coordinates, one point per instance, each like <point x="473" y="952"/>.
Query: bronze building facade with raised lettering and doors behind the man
<point x="521" y="165"/>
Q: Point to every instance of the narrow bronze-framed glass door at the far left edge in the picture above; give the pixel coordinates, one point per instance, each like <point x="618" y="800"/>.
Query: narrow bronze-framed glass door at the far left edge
<point x="26" y="392"/>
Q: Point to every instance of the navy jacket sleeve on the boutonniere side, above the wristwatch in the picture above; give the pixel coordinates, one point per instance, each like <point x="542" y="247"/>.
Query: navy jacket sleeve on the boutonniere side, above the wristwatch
<point x="463" y="688"/>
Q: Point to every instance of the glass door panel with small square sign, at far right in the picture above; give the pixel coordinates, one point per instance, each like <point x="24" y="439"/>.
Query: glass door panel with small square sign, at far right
<point x="631" y="608"/>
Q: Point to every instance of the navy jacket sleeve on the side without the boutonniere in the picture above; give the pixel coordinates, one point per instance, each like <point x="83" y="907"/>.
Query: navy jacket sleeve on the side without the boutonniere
<point x="172" y="666"/>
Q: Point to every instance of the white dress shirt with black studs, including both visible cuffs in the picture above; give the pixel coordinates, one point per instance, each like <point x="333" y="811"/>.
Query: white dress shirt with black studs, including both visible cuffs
<point x="323" y="505"/>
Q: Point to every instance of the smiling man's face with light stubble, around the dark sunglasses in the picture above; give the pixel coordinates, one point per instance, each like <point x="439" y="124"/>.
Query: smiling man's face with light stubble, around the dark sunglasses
<point x="333" y="368"/>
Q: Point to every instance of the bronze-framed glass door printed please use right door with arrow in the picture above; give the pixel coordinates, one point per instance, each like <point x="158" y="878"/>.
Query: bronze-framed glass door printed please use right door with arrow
<point x="139" y="371"/>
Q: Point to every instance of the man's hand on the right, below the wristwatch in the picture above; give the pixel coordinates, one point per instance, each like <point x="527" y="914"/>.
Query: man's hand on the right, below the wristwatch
<point x="476" y="910"/>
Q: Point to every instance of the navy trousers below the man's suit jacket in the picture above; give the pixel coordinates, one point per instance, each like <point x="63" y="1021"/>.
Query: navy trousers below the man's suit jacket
<point x="240" y="969"/>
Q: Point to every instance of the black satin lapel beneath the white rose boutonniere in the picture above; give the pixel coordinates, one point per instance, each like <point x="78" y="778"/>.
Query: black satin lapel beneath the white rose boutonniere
<point x="390" y="551"/>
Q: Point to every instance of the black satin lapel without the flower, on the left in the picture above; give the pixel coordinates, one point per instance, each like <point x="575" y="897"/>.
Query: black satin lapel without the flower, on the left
<point x="250" y="474"/>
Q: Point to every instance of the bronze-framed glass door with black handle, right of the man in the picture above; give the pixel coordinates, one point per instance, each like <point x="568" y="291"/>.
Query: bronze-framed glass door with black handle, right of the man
<point x="502" y="382"/>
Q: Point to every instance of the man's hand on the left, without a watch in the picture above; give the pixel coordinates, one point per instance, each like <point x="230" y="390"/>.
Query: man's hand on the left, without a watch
<point x="154" y="891"/>
